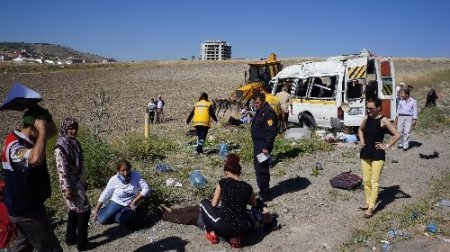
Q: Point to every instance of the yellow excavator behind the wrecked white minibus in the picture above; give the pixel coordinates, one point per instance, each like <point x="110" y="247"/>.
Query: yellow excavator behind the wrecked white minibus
<point x="258" y="74"/>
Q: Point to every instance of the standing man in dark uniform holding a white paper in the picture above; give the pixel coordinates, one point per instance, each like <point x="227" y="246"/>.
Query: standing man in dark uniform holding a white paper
<point x="264" y="131"/>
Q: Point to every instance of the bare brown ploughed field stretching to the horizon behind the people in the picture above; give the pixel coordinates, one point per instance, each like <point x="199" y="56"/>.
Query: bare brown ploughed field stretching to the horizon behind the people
<point x="130" y="87"/>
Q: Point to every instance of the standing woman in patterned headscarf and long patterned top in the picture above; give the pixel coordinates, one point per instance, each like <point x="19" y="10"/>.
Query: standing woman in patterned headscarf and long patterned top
<point x="72" y="178"/>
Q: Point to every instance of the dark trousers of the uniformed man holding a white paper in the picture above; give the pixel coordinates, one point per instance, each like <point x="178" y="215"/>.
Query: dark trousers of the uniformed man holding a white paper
<point x="261" y="169"/>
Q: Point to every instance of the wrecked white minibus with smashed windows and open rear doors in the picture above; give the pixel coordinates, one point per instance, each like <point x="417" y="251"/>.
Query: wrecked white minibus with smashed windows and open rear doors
<point x="333" y="93"/>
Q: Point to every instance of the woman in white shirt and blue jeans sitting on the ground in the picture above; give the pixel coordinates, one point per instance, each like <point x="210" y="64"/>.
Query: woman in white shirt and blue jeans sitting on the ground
<point x="123" y="191"/>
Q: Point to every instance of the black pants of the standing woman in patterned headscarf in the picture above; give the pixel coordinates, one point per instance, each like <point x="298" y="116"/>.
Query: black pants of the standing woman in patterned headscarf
<point x="77" y="228"/>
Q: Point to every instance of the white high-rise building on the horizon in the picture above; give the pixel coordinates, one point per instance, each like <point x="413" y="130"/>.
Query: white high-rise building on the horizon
<point x="215" y="50"/>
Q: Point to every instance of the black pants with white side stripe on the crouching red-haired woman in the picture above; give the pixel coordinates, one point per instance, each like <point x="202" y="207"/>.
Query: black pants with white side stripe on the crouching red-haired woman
<point x="214" y="223"/>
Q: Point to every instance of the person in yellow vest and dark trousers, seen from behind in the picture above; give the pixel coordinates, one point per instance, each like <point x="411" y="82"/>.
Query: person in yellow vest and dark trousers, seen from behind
<point x="200" y="116"/>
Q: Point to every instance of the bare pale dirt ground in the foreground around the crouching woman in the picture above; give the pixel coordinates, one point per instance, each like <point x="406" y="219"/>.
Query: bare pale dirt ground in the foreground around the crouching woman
<point x="313" y="215"/>
